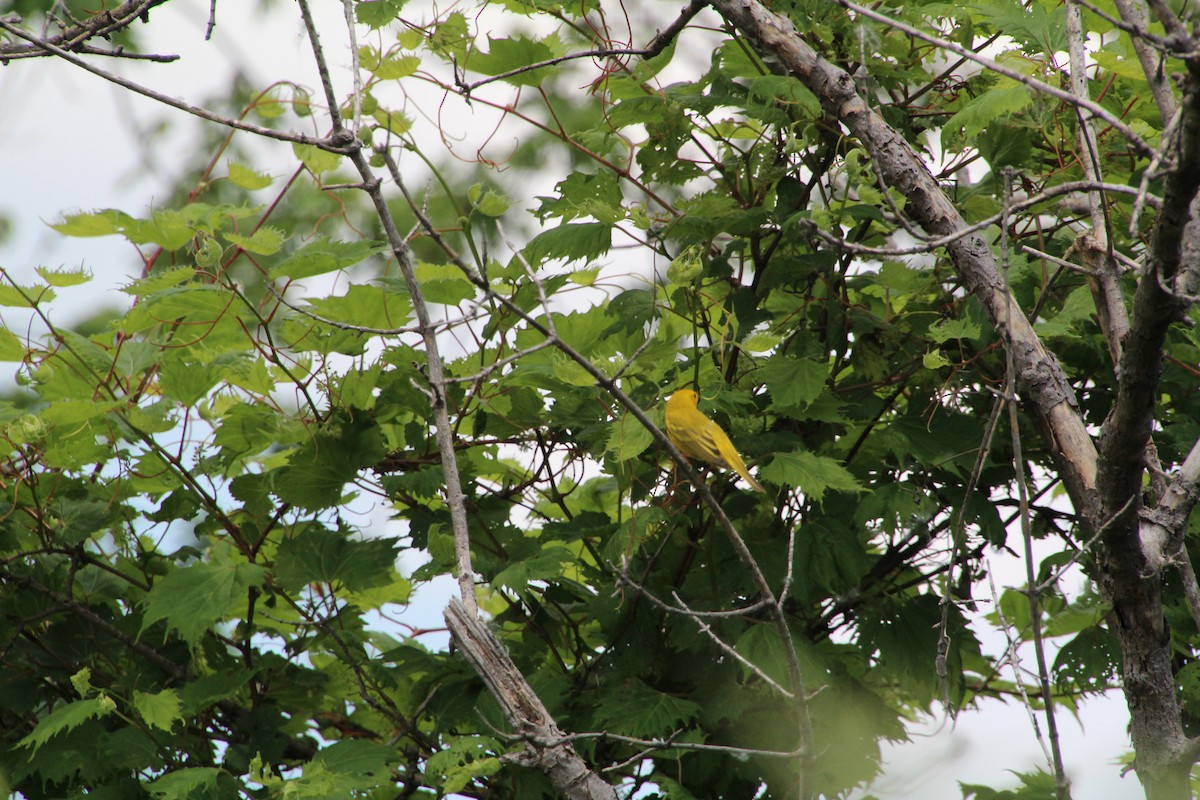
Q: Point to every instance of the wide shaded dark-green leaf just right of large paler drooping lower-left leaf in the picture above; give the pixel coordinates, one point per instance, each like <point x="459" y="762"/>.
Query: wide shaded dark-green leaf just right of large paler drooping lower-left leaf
<point x="321" y="556"/>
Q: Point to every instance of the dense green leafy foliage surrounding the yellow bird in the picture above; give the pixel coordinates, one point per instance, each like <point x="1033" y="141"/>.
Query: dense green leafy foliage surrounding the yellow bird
<point x="206" y="497"/>
